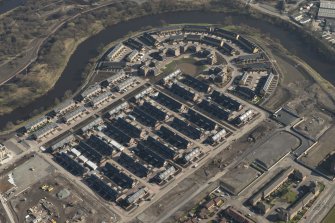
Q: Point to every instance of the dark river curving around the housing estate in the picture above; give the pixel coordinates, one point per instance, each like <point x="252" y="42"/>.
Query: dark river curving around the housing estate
<point x="71" y="77"/>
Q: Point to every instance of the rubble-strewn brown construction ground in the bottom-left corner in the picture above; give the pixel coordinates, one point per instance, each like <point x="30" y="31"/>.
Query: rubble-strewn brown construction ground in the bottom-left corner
<point x="67" y="208"/>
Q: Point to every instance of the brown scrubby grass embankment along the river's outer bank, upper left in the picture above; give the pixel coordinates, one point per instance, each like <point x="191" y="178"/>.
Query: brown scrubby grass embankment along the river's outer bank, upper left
<point x="44" y="73"/>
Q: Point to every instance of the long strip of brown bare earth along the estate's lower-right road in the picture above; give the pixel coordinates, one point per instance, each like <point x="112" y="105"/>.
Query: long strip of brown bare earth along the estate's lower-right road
<point x="192" y="183"/>
